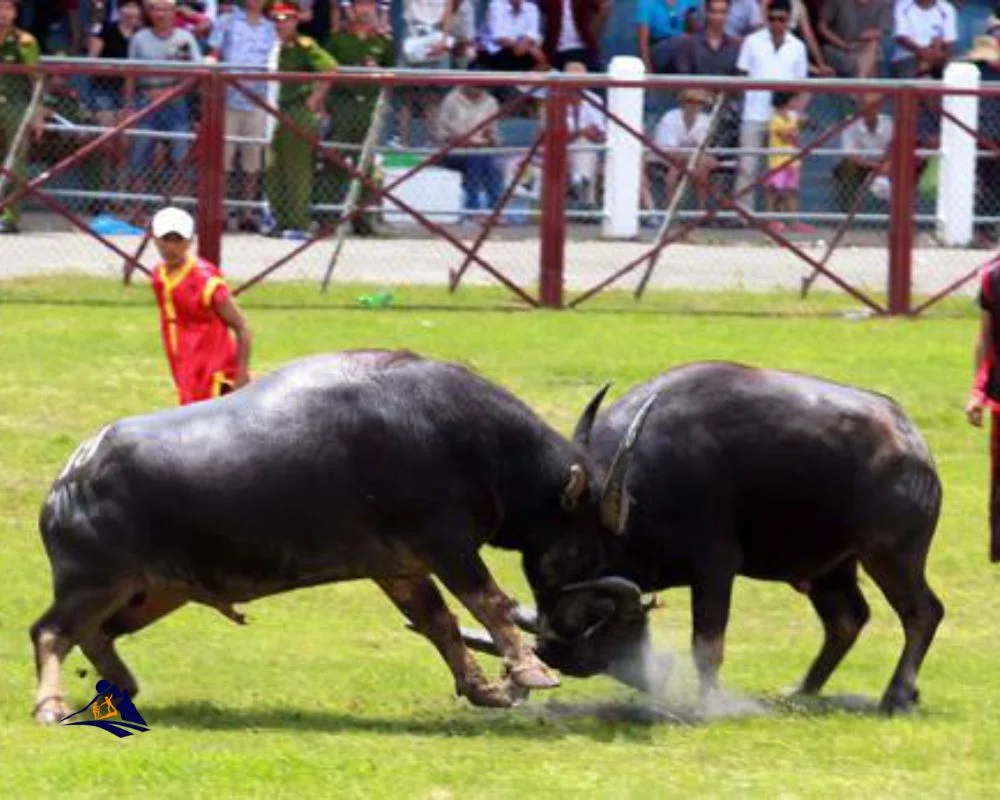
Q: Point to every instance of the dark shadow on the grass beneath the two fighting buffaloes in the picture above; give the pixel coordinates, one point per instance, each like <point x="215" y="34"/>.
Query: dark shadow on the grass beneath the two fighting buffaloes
<point x="600" y="720"/>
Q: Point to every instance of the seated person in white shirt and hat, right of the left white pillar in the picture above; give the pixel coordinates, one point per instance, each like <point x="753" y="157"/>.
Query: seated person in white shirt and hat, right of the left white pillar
<point x="678" y="131"/>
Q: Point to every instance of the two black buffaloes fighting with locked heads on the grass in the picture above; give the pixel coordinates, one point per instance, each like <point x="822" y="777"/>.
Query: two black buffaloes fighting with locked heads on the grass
<point x="392" y="467"/>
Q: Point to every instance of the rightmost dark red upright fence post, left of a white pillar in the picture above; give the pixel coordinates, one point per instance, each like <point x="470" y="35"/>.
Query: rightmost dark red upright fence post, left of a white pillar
<point x="903" y="175"/>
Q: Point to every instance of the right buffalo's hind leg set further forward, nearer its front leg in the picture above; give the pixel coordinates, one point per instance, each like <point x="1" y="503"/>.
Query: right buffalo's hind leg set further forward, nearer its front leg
<point x="844" y="612"/>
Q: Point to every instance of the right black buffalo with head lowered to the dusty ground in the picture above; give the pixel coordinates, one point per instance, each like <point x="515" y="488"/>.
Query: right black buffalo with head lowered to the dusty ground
<point x="771" y="475"/>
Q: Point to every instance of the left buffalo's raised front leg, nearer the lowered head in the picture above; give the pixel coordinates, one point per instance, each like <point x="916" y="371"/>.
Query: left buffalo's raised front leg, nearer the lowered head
<point x="473" y="585"/>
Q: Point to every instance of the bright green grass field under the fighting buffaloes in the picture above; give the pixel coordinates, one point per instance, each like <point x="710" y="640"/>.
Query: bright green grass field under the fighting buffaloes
<point x="325" y="693"/>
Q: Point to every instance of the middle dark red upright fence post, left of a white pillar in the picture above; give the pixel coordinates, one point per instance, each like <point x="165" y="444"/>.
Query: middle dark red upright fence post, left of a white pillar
<point x="553" y="218"/>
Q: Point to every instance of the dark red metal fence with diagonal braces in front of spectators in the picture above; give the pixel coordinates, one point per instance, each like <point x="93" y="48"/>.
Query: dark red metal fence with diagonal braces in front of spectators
<point x="544" y="110"/>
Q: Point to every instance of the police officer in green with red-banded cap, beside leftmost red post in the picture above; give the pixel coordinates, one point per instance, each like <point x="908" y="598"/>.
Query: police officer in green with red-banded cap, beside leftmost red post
<point x="288" y="182"/>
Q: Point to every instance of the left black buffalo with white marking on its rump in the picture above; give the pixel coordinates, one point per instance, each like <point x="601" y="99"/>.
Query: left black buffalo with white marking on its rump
<point x="363" y="464"/>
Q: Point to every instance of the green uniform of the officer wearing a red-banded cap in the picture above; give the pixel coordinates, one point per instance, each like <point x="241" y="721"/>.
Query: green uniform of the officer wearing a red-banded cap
<point x="288" y="181"/>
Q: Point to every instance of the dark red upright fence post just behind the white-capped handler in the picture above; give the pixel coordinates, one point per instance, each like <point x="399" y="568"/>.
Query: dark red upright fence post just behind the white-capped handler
<point x="211" y="168"/>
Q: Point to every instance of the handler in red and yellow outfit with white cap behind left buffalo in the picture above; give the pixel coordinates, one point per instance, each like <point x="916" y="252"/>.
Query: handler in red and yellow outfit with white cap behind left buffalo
<point x="205" y="335"/>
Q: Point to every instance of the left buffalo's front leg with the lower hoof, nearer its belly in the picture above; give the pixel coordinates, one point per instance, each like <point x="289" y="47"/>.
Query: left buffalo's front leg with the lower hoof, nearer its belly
<point x="419" y="599"/>
